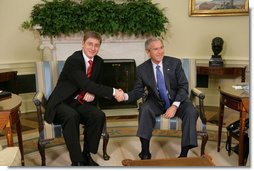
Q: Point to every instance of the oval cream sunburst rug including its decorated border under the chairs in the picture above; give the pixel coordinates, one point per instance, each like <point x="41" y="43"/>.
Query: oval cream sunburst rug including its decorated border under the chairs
<point x="123" y="144"/>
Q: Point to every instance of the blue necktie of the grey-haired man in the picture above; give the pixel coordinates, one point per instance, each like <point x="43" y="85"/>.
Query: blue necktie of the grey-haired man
<point x="162" y="87"/>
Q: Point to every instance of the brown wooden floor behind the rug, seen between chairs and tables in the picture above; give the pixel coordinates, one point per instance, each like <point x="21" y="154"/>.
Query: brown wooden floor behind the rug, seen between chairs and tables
<point x="117" y="126"/>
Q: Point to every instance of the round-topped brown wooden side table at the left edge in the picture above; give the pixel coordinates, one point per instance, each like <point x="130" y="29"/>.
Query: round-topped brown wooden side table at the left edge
<point x="10" y="108"/>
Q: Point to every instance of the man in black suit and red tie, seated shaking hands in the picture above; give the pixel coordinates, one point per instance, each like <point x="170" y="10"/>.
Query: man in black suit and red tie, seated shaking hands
<point x="73" y="100"/>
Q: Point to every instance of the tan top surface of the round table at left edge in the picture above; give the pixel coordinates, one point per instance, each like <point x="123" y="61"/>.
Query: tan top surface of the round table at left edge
<point x="10" y="103"/>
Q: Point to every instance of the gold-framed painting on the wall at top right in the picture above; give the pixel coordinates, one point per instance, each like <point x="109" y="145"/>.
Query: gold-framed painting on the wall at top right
<point x="218" y="7"/>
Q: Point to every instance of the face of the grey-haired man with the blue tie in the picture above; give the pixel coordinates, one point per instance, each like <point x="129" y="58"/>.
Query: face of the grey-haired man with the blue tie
<point x="156" y="51"/>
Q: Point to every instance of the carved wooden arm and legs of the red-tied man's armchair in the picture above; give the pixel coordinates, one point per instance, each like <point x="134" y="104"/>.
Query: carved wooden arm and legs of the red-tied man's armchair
<point x="40" y="103"/>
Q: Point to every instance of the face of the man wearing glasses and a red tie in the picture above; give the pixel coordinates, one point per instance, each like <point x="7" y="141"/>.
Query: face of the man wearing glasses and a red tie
<point x="91" y="47"/>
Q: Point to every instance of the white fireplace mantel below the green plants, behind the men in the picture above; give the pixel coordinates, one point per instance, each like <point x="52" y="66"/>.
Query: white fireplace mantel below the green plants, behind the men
<point x="112" y="47"/>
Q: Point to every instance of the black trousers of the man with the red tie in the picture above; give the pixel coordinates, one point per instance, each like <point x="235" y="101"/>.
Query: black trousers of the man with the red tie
<point x="70" y="117"/>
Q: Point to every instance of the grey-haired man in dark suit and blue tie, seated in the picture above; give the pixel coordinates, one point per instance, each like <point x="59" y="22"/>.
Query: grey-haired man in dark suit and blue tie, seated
<point x="167" y="87"/>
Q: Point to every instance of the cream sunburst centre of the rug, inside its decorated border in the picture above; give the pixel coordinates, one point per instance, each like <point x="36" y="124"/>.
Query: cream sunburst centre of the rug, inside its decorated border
<point x="120" y="148"/>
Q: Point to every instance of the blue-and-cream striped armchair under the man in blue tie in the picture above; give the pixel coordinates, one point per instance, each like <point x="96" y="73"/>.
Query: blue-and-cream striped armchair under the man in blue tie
<point x="196" y="96"/>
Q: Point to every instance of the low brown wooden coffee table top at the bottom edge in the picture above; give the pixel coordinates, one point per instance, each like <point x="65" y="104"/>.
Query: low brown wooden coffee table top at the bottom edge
<point x="204" y="160"/>
